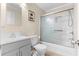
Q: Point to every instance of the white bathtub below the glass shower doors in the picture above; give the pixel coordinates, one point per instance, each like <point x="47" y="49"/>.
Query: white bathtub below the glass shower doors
<point x="62" y="50"/>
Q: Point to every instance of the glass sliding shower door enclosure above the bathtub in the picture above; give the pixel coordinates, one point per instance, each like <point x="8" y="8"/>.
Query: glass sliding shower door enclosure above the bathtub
<point x="58" y="28"/>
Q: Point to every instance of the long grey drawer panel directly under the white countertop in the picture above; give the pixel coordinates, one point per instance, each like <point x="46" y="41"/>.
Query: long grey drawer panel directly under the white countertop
<point x="11" y="46"/>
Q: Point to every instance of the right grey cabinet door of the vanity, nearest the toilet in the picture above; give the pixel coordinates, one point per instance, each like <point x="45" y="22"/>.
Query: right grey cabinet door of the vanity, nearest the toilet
<point x="25" y="51"/>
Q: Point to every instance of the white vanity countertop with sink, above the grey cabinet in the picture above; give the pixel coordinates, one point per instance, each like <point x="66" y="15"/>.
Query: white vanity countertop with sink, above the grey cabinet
<point x="10" y="40"/>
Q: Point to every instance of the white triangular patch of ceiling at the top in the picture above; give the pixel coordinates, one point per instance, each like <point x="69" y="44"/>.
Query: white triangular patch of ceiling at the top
<point x="48" y="6"/>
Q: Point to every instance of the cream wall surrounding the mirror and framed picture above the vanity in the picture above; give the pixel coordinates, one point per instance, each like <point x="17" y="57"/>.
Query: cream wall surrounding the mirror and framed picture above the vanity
<point x="27" y="27"/>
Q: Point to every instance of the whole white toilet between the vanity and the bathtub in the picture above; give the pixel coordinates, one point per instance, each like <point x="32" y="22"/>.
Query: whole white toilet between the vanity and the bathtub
<point x="40" y="49"/>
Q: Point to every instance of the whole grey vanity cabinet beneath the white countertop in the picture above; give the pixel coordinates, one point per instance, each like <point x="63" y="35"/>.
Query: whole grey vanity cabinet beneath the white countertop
<point x="19" y="48"/>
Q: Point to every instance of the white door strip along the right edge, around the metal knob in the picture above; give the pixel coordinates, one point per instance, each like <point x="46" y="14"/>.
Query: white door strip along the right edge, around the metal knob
<point x="77" y="24"/>
